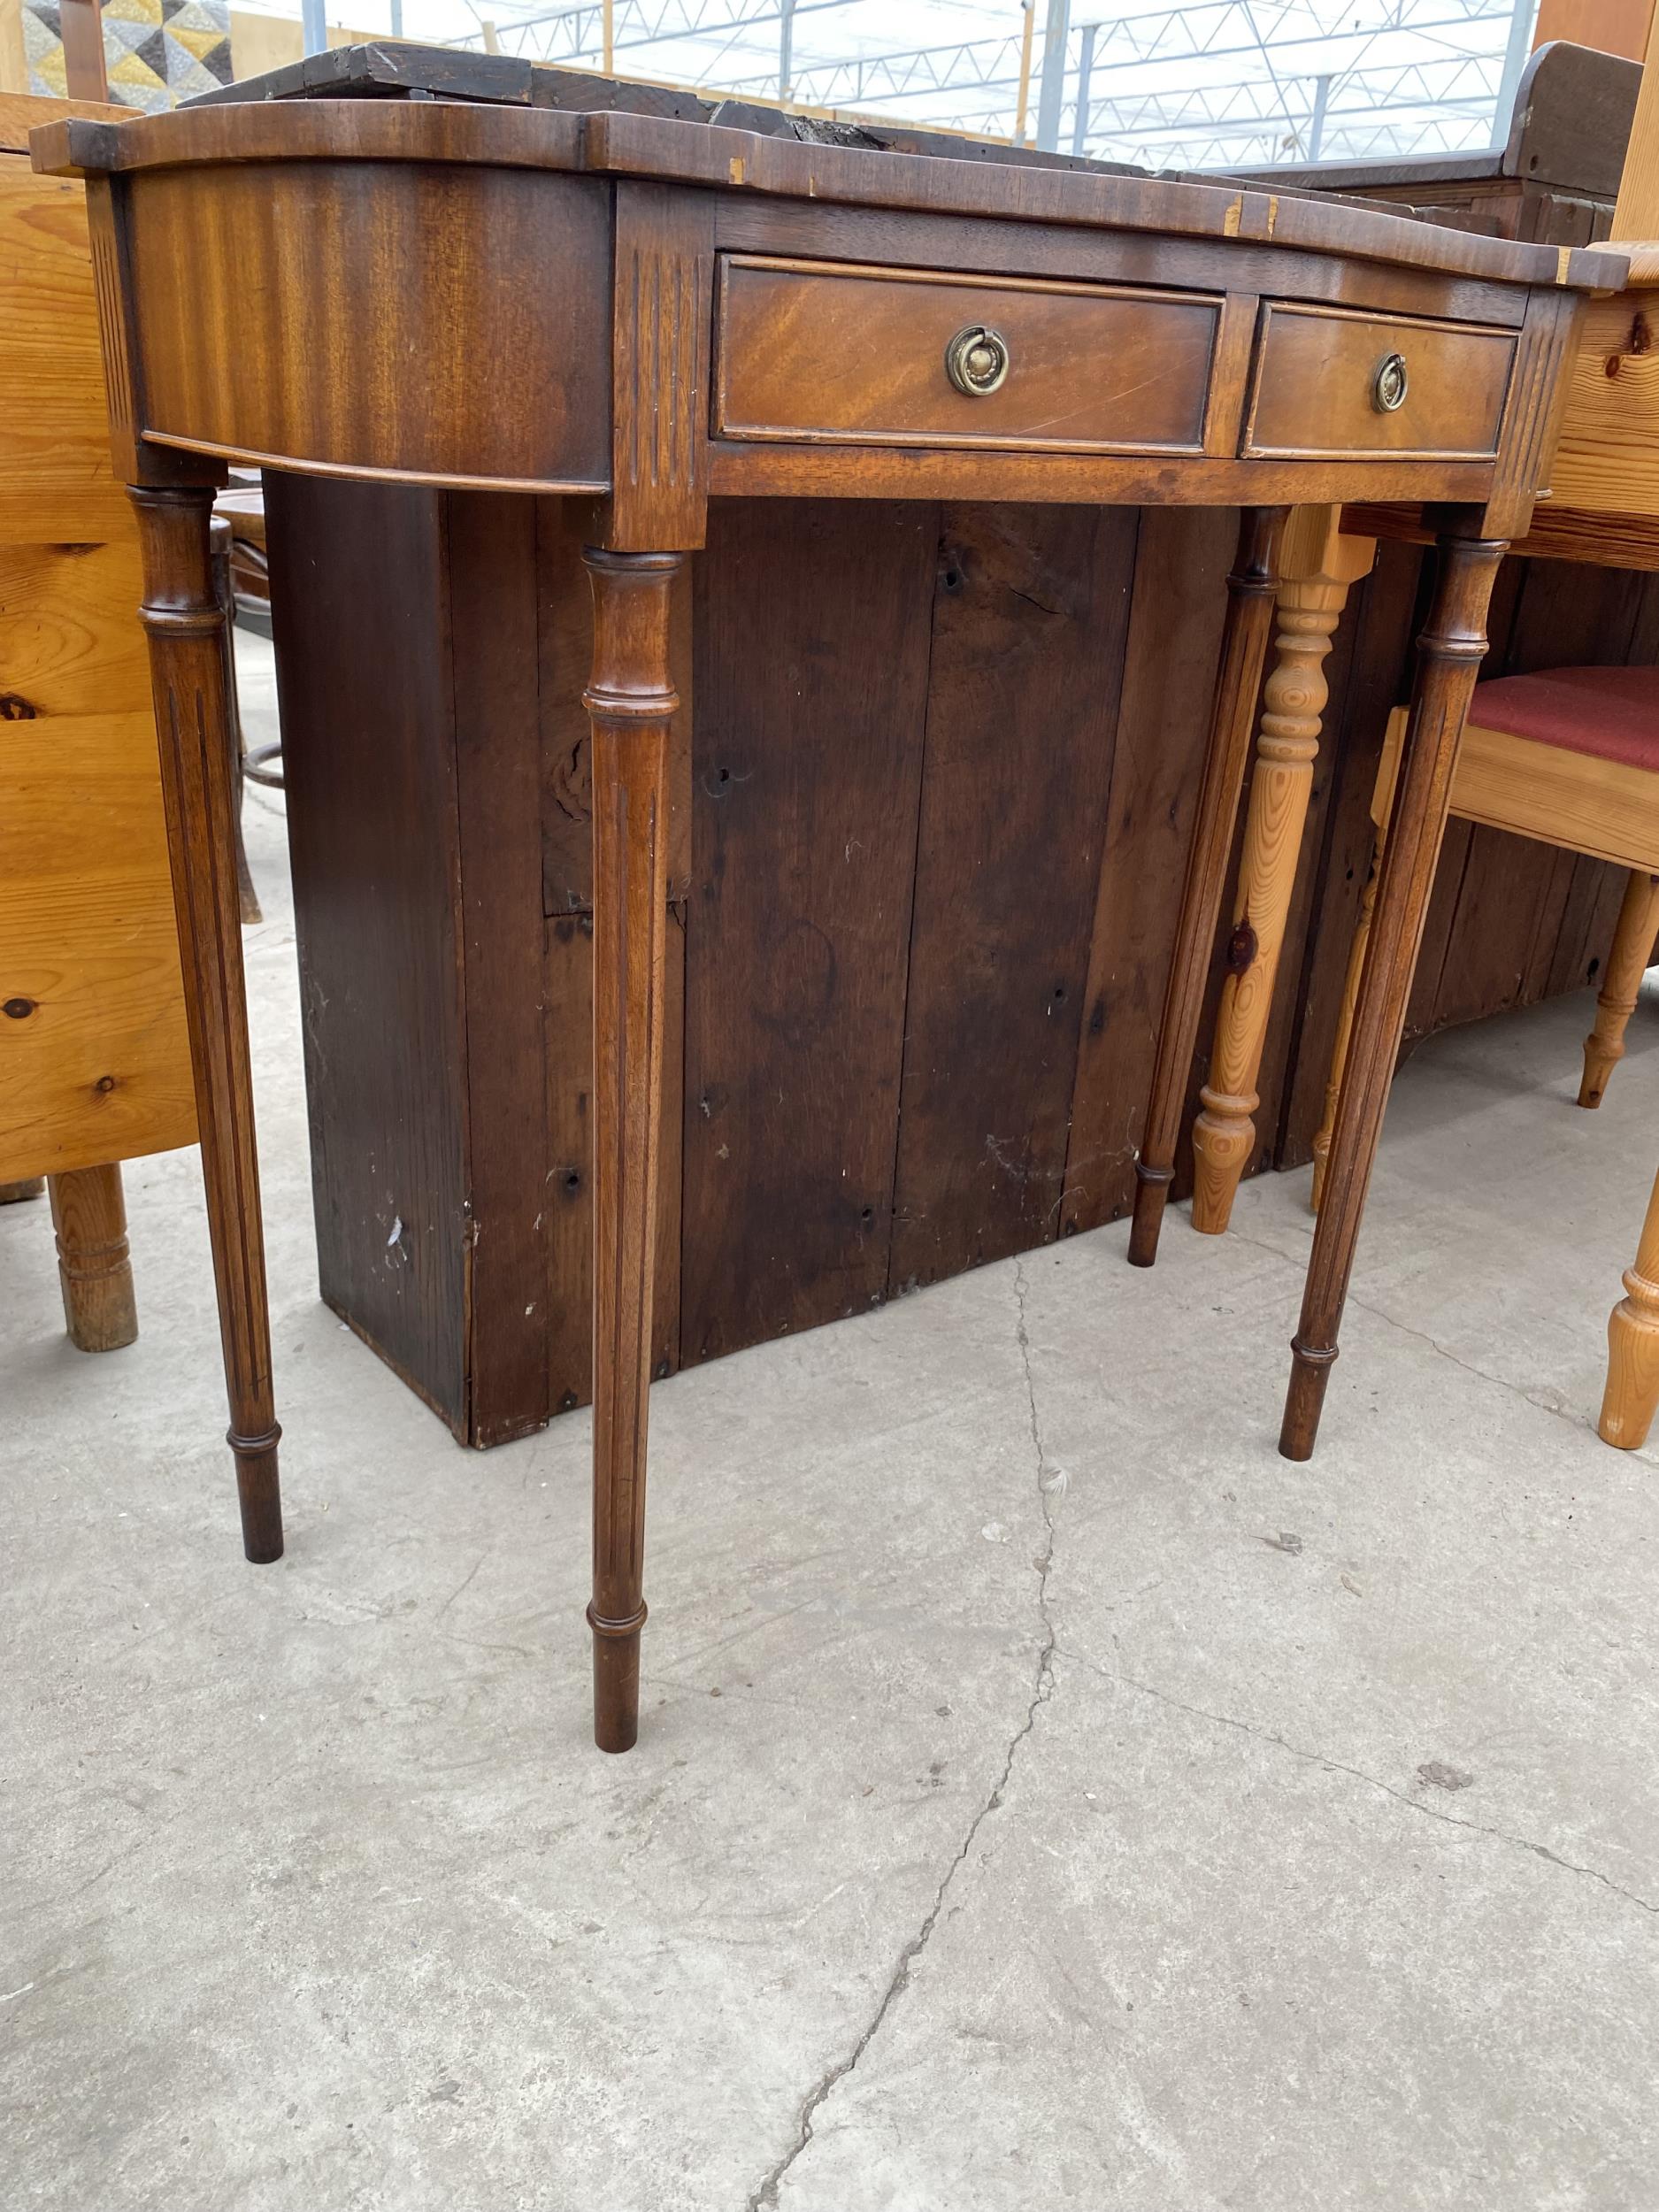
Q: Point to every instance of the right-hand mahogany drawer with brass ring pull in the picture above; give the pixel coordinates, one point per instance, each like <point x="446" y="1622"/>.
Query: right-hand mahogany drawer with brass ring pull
<point x="1317" y="373"/>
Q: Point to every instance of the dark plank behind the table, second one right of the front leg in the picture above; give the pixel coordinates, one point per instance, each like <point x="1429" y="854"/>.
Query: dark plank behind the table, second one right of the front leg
<point x="1030" y="627"/>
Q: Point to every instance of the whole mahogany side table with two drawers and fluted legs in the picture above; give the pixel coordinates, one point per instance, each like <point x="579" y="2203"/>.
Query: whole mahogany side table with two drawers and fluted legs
<point x="647" y="313"/>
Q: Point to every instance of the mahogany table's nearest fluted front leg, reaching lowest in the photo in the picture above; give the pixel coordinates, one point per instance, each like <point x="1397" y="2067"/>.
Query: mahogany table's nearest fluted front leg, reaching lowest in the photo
<point x="632" y="702"/>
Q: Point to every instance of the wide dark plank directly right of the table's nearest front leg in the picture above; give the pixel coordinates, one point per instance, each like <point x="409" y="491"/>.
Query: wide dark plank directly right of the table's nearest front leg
<point x="813" y="636"/>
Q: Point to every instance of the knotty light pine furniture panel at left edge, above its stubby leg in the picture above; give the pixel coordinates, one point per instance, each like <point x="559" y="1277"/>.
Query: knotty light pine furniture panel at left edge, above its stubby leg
<point x="94" y="1047"/>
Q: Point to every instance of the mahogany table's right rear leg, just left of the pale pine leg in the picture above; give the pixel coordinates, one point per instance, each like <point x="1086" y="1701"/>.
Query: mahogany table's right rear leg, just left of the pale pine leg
<point x="1244" y="649"/>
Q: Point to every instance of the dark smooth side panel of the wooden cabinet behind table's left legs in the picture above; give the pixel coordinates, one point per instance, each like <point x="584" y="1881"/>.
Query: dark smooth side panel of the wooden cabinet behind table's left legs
<point x="362" y="625"/>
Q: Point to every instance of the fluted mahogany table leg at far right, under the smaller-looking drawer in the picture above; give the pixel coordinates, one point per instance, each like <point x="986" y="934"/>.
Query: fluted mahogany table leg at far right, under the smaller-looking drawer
<point x="1450" y="656"/>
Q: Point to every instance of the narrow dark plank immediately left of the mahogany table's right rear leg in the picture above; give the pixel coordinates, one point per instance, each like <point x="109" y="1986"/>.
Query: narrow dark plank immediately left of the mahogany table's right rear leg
<point x="1173" y="645"/>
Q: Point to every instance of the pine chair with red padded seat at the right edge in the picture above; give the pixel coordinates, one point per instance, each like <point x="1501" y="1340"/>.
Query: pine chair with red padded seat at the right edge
<point x="1567" y="755"/>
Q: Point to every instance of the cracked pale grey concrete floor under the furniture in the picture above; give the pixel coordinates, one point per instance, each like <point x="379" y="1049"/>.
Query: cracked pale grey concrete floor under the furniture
<point x="1047" y="1795"/>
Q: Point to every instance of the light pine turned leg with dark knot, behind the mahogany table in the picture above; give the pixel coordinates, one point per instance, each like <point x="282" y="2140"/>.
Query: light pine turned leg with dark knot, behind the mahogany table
<point x="1317" y="572"/>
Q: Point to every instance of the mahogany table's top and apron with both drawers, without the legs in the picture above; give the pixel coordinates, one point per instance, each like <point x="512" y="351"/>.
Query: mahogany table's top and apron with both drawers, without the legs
<point x="658" y="311"/>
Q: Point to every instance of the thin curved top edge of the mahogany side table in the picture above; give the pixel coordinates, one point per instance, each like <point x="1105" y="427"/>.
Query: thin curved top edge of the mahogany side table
<point x="660" y="149"/>
